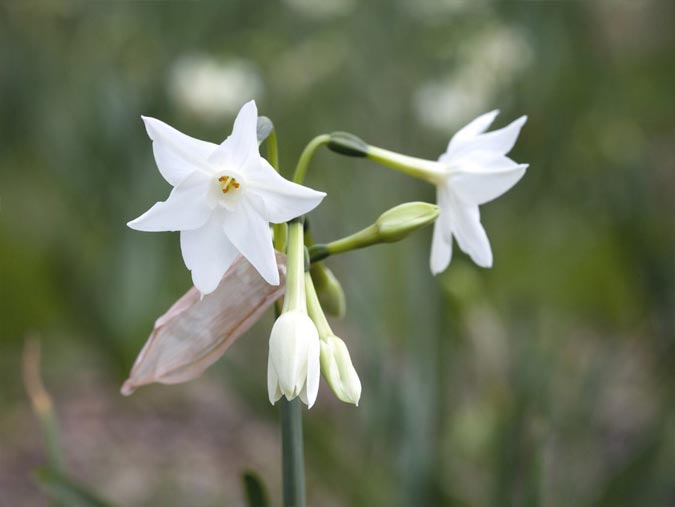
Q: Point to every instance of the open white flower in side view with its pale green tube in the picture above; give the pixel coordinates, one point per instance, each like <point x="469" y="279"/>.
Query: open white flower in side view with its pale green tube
<point x="473" y="170"/>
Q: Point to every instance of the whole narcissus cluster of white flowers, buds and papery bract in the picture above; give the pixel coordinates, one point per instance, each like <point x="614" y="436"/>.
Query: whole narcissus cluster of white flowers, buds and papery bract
<point x="224" y="200"/>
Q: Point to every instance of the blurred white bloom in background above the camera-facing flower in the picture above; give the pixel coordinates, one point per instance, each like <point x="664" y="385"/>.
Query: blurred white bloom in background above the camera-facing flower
<point x="211" y="88"/>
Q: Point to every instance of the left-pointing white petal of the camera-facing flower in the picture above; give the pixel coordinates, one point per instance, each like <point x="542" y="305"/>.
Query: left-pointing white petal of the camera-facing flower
<point x="185" y="209"/>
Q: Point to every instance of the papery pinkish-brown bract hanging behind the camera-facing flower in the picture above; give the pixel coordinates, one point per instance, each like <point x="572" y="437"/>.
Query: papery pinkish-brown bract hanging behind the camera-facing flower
<point x="195" y="332"/>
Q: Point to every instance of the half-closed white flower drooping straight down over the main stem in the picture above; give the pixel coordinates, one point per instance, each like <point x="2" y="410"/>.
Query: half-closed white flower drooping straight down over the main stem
<point x="293" y="366"/>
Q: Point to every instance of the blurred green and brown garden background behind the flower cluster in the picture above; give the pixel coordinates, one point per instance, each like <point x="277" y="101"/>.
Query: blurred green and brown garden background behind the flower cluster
<point x="547" y="380"/>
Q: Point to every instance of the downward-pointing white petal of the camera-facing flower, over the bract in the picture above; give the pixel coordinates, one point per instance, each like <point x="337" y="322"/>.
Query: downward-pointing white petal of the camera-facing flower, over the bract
<point x="207" y="253"/>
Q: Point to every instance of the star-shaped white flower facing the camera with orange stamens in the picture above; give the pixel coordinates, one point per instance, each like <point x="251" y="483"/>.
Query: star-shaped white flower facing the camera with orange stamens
<point x="224" y="198"/>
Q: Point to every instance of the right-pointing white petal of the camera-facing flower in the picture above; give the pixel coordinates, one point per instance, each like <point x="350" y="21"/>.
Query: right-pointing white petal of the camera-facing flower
<point x="283" y="199"/>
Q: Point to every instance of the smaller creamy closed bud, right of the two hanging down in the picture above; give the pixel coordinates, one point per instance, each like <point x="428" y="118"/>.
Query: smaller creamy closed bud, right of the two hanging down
<point x="338" y="370"/>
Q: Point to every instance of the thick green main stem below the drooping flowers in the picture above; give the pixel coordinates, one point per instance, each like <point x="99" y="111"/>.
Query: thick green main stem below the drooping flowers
<point x="293" y="464"/>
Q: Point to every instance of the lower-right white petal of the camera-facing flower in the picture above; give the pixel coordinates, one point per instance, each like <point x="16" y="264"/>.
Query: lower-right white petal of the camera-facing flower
<point x="250" y="234"/>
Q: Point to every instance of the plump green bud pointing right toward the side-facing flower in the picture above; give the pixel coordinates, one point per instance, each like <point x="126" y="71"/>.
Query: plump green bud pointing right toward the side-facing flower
<point x="398" y="222"/>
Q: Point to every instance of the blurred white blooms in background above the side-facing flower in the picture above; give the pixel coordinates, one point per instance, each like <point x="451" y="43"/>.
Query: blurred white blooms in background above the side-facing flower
<point x="487" y="63"/>
